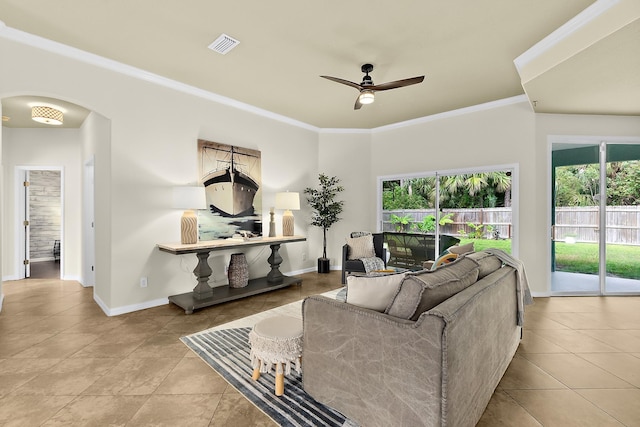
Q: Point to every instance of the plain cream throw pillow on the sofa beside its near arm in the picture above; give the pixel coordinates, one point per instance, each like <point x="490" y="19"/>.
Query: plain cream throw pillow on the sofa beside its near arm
<point x="375" y="292"/>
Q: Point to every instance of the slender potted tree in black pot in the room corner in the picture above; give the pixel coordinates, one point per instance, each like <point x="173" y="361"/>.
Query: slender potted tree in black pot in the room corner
<point x="326" y="210"/>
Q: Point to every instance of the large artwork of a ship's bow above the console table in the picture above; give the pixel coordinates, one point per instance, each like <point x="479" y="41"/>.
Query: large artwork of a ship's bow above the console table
<point x="232" y="178"/>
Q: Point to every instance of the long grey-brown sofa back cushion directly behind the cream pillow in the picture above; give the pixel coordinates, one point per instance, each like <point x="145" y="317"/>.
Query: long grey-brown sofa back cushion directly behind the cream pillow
<point x="421" y="291"/>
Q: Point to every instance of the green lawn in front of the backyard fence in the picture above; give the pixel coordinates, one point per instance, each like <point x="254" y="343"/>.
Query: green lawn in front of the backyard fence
<point x="622" y="260"/>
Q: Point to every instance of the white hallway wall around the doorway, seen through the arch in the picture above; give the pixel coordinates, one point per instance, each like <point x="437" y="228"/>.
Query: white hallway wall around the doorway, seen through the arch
<point x="42" y="148"/>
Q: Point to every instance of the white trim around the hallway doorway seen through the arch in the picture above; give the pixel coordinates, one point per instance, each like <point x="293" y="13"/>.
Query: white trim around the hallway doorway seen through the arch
<point x="19" y="214"/>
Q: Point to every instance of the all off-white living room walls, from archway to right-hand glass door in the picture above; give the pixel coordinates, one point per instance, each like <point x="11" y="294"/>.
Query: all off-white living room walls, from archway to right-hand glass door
<point x="144" y="138"/>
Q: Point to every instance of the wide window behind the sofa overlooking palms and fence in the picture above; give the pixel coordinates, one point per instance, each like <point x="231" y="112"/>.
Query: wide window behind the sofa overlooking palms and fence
<point x="422" y="215"/>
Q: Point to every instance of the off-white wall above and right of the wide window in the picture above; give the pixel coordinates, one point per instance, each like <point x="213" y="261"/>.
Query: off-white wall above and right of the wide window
<point x="487" y="137"/>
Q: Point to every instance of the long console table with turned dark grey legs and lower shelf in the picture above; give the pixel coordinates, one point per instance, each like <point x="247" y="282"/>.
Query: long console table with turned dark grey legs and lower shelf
<point x="204" y="295"/>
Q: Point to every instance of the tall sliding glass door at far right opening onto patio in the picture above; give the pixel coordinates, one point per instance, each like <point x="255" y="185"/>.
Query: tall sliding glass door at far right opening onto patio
<point x="595" y="238"/>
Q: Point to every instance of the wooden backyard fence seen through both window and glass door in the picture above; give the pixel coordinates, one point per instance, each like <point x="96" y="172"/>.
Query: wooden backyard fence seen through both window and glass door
<point x="579" y="223"/>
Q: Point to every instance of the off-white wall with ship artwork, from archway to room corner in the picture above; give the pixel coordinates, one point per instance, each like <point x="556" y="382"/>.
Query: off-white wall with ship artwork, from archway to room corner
<point x="153" y="136"/>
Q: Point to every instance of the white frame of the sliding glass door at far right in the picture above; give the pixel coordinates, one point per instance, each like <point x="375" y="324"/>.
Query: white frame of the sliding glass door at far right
<point x="577" y="141"/>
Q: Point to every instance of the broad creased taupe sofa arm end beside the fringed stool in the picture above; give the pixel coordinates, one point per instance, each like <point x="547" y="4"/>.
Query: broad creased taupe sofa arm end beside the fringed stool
<point x="371" y="366"/>
